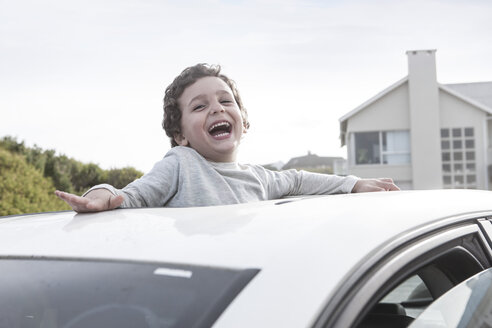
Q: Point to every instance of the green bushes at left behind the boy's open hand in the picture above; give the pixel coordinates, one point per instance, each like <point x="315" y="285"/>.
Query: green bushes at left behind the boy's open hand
<point x="29" y="176"/>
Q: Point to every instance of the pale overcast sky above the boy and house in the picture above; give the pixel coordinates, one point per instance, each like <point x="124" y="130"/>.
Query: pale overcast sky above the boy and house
<point x="87" y="77"/>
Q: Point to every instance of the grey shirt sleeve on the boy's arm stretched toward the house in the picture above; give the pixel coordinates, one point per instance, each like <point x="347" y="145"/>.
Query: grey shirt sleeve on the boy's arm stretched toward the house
<point x="295" y="183"/>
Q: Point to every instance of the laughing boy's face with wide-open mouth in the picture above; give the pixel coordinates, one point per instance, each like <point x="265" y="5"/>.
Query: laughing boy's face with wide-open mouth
<point x="211" y="121"/>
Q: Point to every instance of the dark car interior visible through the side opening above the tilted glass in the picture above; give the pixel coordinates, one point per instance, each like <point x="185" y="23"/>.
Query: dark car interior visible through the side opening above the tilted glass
<point x="411" y="293"/>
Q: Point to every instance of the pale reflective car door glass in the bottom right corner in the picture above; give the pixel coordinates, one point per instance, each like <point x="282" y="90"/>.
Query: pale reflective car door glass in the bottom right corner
<point x="466" y="305"/>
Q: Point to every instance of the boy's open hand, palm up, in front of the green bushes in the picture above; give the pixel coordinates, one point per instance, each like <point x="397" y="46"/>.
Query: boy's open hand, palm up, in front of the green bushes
<point x="95" y="201"/>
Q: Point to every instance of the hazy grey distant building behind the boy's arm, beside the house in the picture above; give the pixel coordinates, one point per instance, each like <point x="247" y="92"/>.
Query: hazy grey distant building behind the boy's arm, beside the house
<point x="312" y="162"/>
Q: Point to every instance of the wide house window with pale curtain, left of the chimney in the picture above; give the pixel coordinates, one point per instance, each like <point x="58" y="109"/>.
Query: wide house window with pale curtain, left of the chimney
<point x="382" y="147"/>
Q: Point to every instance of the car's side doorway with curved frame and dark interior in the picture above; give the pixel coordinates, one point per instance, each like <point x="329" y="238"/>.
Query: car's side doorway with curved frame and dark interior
<point x="395" y="283"/>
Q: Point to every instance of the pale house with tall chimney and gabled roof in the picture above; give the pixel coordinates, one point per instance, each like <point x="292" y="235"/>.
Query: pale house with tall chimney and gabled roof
<point x="423" y="134"/>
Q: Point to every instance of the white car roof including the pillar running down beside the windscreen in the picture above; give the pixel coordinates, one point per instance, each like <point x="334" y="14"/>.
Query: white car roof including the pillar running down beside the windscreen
<point x="313" y="241"/>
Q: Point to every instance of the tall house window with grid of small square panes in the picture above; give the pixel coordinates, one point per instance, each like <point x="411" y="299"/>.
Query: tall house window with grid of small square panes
<point x="458" y="158"/>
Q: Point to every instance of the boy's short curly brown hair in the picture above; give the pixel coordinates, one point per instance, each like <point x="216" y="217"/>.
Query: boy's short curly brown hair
<point x="172" y="113"/>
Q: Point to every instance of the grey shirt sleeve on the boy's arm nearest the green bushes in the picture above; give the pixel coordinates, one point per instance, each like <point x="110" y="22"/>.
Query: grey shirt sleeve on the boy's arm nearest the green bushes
<point x="154" y="189"/>
